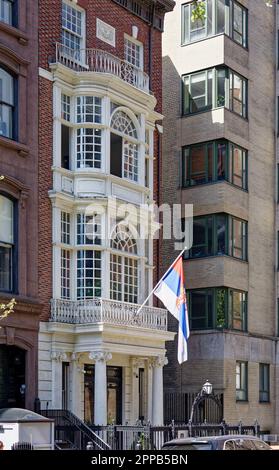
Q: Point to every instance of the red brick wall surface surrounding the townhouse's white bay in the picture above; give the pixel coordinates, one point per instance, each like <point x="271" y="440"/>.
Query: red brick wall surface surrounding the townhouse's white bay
<point x="50" y="28"/>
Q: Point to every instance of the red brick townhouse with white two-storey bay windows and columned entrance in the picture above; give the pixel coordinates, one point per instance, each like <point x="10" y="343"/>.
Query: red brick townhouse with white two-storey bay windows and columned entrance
<point x="100" y="99"/>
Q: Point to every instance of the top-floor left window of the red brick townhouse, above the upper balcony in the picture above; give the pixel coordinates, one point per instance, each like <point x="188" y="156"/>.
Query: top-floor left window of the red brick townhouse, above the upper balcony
<point x="73" y="27"/>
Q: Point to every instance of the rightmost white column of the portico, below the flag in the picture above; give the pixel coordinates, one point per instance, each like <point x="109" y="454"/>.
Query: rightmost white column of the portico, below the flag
<point x="157" y="390"/>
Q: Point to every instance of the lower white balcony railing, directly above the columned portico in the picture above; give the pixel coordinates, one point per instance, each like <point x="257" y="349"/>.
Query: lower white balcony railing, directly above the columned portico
<point x="107" y="311"/>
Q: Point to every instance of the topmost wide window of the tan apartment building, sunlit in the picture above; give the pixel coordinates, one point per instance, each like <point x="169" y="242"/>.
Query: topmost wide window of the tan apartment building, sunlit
<point x="222" y="16"/>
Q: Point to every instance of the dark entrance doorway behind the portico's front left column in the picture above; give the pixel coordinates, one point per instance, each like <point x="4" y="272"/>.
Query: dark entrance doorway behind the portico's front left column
<point x="114" y="394"/>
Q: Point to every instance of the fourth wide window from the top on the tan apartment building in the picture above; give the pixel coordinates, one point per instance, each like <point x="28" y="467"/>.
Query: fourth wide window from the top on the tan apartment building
<point x="219" y="234"/>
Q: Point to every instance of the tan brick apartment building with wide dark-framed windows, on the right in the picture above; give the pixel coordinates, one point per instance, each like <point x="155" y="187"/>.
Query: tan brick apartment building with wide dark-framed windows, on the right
<point x="219" y="155"/>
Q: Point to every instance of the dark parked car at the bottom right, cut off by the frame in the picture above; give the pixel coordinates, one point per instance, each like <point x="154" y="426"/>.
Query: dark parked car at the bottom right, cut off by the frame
<point x="228" y="442"/>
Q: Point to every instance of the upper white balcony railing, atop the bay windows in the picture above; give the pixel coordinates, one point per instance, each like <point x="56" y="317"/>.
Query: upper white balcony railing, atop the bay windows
<point x="96" y="60"/>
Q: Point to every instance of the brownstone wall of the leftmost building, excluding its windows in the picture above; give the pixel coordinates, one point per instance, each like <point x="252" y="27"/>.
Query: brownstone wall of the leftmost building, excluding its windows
<point x="19" y="165"/>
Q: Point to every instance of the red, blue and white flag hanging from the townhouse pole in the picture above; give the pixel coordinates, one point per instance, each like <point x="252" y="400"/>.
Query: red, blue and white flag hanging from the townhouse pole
<point x="171" y="292"/>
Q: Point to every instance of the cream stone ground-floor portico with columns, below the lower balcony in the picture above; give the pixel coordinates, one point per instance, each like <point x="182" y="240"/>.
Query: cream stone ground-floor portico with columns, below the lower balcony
<point x="113" y="375"/>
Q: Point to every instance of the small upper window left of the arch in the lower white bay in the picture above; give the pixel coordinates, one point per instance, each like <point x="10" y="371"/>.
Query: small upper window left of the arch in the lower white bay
<point x="89" y="229"/>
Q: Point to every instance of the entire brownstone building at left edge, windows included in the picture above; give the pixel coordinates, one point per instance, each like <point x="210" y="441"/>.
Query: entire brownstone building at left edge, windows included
<point x="18" y="202"/>
